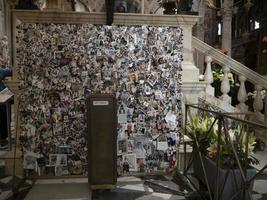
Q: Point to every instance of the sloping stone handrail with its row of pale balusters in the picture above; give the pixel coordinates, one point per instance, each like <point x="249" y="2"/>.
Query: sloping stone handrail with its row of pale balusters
<point x="242" y="72"/>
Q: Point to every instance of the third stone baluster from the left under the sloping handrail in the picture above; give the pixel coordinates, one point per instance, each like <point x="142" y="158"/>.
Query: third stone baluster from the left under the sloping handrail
<point x="242" y="95"/>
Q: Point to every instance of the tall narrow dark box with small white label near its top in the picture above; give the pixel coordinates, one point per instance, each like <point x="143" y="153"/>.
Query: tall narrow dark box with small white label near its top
<point x="102" y="125"/>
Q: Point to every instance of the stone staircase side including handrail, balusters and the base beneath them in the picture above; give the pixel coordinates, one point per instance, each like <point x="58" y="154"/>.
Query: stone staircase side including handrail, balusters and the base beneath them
<point x="224" y="102"/>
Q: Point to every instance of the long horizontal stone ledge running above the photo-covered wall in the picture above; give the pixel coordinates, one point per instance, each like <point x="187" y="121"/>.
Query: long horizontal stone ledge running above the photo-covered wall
<point x="100" y="18"/>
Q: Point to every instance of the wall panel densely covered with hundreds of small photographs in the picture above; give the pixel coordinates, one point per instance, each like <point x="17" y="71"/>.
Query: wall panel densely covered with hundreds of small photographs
<point x="60" y="64"/>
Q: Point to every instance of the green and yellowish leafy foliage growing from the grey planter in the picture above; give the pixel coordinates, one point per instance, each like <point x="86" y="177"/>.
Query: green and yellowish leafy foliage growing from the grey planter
<point x="205" y="131"/>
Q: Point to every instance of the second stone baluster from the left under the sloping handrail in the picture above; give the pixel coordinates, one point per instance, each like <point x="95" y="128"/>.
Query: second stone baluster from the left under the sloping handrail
<point x="225" y="86"/>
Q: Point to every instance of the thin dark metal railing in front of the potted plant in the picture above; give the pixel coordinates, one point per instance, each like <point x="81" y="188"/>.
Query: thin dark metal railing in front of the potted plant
<point x="242" y="166"/>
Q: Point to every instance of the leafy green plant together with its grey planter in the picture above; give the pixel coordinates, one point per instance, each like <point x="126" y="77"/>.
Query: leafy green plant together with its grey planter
<point x="230" y="177"/>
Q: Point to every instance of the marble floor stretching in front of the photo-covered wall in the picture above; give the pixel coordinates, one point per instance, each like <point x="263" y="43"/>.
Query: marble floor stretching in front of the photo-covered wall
<point x="129" y="188"/>
